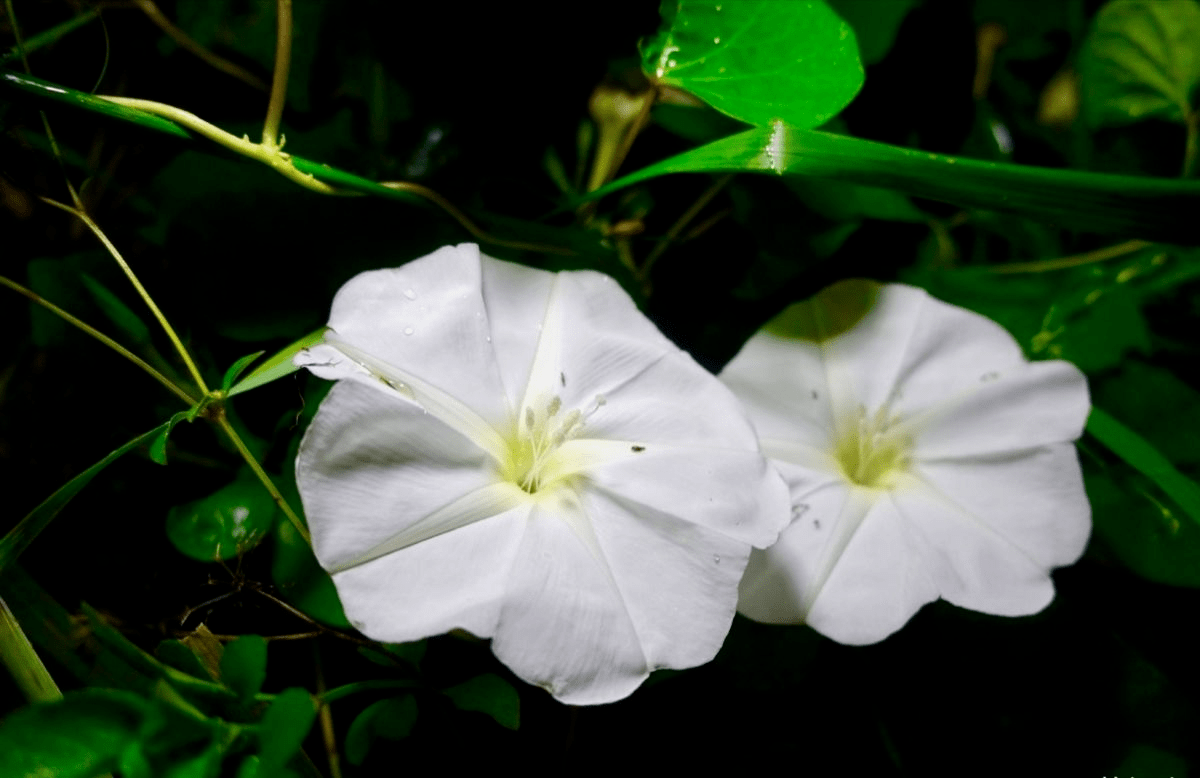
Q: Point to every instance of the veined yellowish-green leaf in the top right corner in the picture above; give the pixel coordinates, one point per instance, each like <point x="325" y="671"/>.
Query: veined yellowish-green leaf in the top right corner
<point x="1142" y="61"/>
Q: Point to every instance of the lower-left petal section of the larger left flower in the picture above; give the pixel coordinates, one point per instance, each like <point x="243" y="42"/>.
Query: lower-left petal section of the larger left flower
<point x="451" y="582"/>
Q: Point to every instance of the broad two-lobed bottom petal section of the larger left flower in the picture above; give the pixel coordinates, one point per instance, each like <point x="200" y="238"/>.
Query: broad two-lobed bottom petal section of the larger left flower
<point x="589" y="619"/>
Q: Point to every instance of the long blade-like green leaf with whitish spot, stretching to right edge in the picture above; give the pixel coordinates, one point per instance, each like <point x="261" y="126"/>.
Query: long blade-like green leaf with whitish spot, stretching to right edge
<point x="1155" y="210"/>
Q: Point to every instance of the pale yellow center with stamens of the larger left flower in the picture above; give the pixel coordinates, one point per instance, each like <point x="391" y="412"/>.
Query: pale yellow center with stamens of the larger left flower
<point x="541" y="432"/>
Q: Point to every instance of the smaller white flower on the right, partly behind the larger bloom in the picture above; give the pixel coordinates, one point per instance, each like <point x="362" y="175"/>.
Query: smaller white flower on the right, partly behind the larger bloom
<point x="926" y="458"/>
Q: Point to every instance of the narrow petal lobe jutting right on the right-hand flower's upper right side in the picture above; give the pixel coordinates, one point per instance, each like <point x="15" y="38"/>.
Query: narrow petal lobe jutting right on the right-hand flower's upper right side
<point x="1034" y="405"/>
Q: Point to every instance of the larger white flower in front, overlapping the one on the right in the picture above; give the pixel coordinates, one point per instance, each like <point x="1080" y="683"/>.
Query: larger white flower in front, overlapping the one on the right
<point x="525" y="457"/>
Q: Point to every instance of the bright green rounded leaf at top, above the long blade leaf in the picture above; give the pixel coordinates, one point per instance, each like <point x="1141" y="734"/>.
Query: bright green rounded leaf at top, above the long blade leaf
<point x="758" y="61"/>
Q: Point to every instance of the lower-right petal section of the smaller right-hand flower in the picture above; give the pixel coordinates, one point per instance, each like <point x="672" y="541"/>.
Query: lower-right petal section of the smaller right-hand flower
<point x="973" y="564"/>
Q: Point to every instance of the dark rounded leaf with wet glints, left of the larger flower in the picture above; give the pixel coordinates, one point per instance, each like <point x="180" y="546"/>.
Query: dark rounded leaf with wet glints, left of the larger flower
<point x="227" y="523"/>
